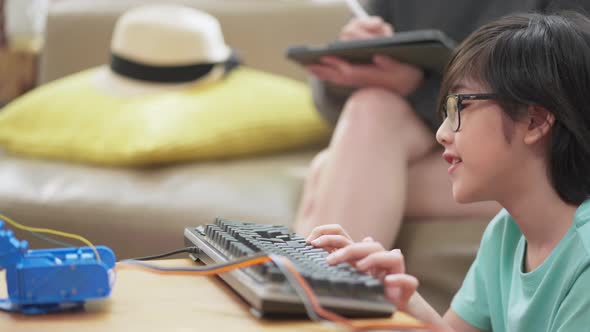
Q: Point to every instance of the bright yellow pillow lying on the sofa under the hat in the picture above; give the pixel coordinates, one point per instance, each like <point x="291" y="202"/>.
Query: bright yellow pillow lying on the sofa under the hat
<point x="248" y="112"/>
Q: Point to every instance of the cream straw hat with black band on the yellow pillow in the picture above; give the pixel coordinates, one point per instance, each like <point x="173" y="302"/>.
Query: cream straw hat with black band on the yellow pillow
<point x="164" y="47"/>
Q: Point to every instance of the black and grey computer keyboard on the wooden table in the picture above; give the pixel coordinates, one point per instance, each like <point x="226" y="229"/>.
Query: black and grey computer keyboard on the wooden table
<point x="340" y="288"/>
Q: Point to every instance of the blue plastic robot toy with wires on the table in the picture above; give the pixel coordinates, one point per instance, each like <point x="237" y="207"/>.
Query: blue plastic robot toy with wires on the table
<point x="49" y="280"/>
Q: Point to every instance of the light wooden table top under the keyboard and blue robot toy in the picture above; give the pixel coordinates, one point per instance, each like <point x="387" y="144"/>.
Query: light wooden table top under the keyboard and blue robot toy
<point x="142" y="301"/>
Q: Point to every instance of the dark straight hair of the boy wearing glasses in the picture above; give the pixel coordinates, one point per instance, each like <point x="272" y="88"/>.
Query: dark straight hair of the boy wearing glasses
<point x="542" y="60"/>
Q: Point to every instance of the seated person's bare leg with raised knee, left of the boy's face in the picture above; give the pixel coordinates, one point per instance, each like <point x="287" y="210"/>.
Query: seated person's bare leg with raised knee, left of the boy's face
<point x="361" y="182"/>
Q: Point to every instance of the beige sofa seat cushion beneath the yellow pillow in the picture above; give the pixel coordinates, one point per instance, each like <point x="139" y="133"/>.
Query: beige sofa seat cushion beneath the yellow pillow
<point x="138" y="212"/>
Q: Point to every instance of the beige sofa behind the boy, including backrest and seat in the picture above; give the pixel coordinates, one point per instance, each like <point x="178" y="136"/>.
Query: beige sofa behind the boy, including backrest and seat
<point x="144" y="211"/>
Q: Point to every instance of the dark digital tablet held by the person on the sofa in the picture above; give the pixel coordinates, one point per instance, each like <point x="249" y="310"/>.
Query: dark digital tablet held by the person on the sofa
<point x="427" y="49"/>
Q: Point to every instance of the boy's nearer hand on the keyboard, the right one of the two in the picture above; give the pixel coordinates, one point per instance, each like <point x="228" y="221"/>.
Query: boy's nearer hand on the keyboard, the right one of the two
<point x="370" y="256"/>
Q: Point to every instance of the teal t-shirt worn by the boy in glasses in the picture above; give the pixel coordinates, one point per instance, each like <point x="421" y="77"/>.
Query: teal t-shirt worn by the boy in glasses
<point x="498" y="296"/>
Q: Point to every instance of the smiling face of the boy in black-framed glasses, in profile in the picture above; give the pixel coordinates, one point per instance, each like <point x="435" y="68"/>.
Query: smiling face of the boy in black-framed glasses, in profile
<point x="482" y="154"/>
